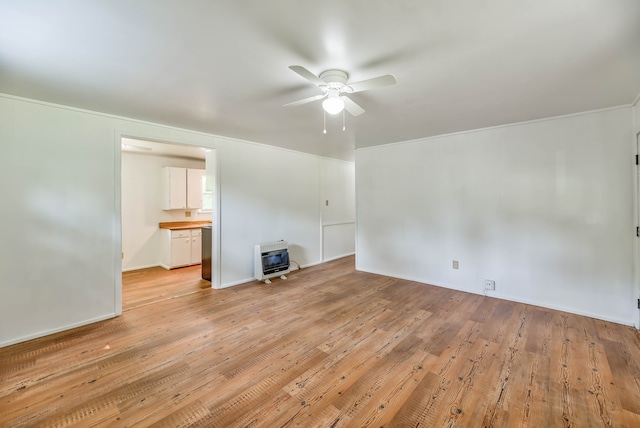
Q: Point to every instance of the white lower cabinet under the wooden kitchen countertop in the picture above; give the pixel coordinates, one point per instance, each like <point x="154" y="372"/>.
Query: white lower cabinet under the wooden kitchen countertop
<point x="181" y="248"/>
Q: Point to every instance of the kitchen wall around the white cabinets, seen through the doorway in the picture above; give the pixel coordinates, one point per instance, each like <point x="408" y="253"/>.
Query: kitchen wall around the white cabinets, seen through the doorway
<point x="142" y="206"/>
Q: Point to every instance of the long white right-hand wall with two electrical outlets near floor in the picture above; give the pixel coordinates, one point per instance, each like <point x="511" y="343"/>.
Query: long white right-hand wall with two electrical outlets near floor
<point x="543" y="208"/>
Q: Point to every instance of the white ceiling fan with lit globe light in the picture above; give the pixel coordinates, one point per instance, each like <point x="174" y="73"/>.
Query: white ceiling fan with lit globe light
<point x="333" y="84"/>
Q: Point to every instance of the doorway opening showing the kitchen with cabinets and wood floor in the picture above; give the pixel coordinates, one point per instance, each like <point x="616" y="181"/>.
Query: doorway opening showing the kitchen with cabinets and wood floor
<point x="161" y="239"/>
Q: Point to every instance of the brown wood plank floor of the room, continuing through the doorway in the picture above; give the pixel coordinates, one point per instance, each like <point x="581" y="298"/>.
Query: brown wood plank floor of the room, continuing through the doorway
<point x="330" y="347"/>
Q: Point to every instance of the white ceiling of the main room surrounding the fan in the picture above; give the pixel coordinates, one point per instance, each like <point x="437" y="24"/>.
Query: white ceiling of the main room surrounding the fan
<point x="221" y="67"/>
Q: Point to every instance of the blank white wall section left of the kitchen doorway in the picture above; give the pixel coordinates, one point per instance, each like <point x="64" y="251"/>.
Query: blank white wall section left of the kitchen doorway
<point x="57" y="258"/>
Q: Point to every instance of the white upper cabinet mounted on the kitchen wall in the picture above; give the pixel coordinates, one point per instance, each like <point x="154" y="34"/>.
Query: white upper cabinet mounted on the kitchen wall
<point x="182" y="188"/>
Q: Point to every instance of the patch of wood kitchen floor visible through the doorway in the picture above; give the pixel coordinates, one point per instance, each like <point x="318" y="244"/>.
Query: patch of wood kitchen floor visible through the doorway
<point x="147" y="286"/>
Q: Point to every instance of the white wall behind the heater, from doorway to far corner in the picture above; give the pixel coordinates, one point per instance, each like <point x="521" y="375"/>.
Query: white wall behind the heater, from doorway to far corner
<point x="270" y="195"/>
